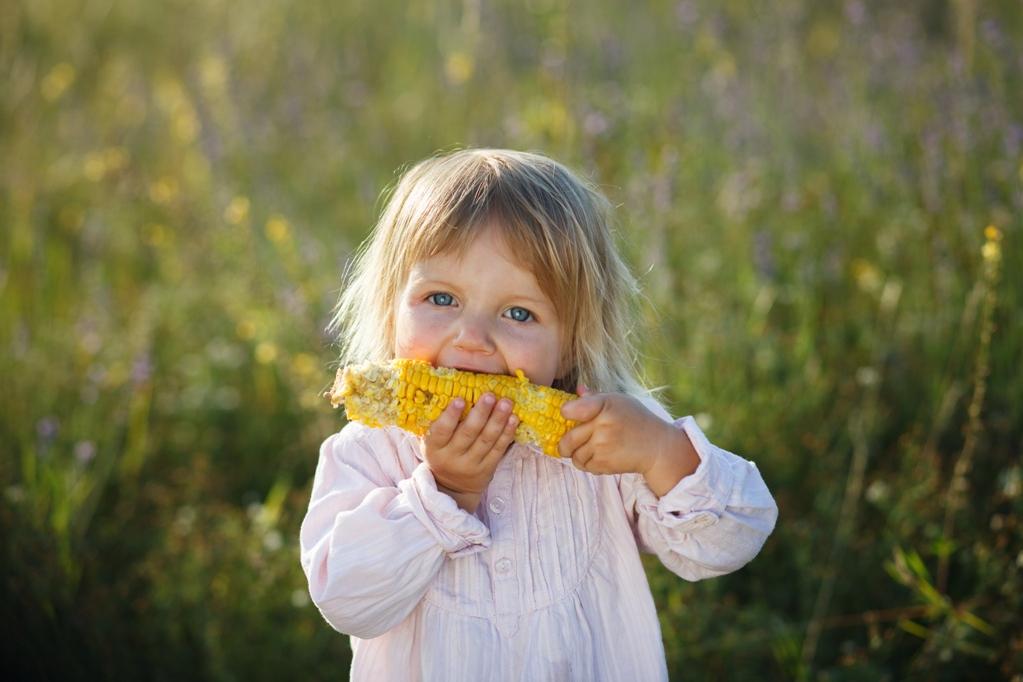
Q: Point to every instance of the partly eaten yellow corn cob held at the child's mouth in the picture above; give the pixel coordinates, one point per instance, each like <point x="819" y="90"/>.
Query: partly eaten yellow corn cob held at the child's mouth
<point x="412" y="394"/>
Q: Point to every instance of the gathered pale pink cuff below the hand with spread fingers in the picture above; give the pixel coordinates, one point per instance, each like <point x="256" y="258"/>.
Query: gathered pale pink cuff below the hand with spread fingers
<point x="459" y="532"/>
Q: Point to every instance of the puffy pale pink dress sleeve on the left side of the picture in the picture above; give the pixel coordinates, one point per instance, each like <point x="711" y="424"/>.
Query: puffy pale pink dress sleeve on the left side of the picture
<point x="377" y="532"/>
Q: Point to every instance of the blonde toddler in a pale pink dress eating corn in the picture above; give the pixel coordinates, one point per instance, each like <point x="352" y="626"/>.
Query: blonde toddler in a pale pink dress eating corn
<point x="464" y="556"/>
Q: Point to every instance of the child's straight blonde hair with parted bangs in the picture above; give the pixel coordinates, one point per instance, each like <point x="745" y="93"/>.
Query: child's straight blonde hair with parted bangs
<point x="560" y="225"/>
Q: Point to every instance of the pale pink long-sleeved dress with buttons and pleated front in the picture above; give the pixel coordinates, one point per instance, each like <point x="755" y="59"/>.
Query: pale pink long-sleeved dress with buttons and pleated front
<point x="544" y="583"/>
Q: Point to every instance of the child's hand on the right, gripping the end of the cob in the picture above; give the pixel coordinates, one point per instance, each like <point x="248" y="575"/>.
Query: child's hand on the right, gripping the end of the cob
<point x="616" y="434"/>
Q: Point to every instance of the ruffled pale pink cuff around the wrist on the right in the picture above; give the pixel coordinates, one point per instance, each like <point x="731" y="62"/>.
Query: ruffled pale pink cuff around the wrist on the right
<point x="698" y="501"/>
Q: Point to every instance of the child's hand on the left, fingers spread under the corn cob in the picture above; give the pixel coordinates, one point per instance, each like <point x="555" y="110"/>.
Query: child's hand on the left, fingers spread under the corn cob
<point x="463" y="454"/>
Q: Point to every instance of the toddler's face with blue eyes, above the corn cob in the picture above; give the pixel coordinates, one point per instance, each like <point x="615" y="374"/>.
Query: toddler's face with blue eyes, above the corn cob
<point x="482" y="312"/>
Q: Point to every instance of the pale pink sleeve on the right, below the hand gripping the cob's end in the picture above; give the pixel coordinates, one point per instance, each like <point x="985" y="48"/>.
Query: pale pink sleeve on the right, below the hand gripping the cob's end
<point x="714" y="522"/>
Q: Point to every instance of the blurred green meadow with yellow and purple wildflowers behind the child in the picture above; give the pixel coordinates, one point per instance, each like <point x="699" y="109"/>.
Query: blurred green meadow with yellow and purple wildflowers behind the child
<point x="804" y="187"/>
